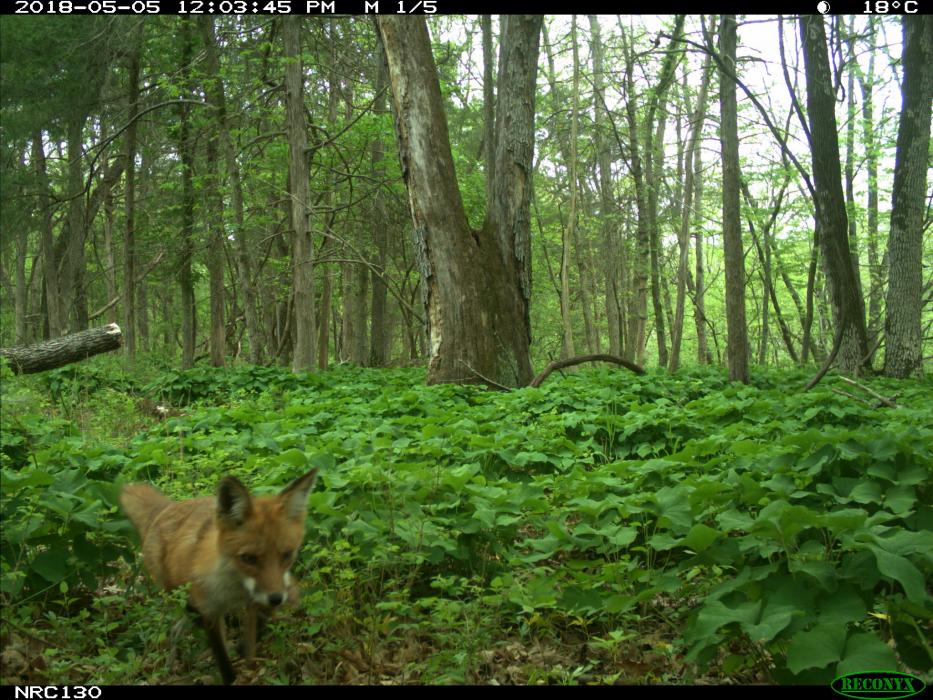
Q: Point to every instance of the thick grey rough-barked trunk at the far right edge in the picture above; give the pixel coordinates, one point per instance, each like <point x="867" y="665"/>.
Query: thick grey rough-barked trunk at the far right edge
<point x="903" y="337"/>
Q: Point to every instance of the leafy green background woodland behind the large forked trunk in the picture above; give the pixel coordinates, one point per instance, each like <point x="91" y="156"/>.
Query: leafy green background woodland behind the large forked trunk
<point x="150" y="179"/>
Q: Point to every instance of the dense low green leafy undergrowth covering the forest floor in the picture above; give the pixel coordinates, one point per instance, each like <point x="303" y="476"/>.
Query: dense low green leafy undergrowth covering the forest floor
<point x="604" y="528"/>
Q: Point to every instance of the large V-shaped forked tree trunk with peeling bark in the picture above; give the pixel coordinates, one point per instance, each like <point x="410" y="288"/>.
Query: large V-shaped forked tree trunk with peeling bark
<point x="476" y="285"/>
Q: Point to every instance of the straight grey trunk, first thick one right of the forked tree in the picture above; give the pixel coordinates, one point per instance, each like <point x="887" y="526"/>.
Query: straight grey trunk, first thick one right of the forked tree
<point x="737" y="339"/>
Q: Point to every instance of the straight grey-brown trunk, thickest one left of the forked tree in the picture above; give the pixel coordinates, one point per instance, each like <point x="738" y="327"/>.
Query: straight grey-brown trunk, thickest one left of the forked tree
<point x="303" y="251"/>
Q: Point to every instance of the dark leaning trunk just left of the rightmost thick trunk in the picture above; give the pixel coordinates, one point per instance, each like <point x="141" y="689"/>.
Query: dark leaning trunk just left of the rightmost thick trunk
<point x="847" y="304"/>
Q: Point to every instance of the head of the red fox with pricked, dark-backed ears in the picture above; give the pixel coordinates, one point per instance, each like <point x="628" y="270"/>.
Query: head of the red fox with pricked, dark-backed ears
<point x="260" y="536"/>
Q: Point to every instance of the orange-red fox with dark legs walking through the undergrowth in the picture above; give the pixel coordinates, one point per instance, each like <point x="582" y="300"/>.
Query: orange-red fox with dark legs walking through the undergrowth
<point x="235" y="550"/>
